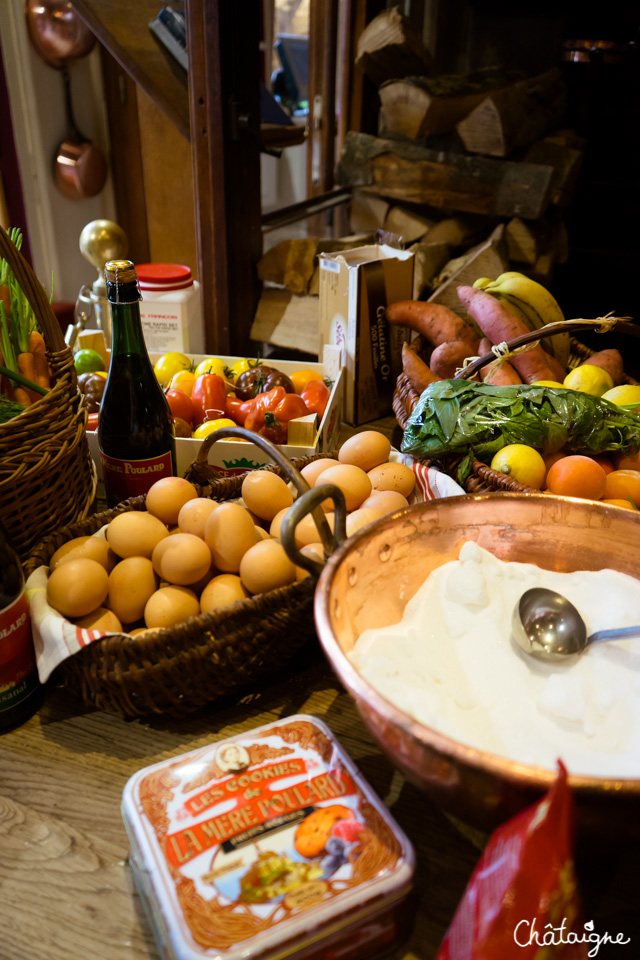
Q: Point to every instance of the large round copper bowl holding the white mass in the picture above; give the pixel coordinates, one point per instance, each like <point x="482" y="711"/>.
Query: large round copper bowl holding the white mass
<point x="371" y="577"/>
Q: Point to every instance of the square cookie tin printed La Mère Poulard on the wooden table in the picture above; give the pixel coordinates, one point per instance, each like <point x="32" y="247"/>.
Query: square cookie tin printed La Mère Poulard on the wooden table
<point x="269" y="844"/>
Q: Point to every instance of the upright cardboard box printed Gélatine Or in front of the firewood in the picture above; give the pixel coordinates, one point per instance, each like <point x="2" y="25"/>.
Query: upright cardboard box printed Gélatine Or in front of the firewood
<point x="355" y="286"/>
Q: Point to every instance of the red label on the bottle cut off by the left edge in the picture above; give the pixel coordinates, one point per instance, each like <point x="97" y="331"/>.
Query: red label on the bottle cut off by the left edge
<point x="18" y="675"/>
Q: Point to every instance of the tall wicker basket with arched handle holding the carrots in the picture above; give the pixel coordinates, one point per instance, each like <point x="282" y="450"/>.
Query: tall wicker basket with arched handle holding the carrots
<point x="47" y="476"/>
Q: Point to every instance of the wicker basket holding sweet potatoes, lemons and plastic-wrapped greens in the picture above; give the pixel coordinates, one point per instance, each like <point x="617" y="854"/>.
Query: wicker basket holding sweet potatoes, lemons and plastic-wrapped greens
<point x="482" y="478"/>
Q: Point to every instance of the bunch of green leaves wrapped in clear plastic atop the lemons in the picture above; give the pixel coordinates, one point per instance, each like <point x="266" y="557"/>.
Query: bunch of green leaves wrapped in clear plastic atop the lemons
<point x="459" y="416"/>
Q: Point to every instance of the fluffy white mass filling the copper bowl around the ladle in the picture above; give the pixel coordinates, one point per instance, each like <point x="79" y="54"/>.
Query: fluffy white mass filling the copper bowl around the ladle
<point x="452" y="665"/>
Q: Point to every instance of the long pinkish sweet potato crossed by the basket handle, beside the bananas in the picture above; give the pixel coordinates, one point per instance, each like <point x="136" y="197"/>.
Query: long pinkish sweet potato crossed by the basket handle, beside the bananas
<point x="498" y="323"/>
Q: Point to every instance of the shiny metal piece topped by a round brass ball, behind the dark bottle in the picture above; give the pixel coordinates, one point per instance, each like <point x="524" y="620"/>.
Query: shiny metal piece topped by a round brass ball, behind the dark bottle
<point x="100" y="241"/>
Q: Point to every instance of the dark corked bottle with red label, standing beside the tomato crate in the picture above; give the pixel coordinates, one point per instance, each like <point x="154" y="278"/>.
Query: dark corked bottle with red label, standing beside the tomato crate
<point x="135" y="432"/>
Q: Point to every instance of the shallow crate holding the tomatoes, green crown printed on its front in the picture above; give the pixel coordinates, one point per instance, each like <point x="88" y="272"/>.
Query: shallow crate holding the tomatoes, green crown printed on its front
<point x="231" y="457"/>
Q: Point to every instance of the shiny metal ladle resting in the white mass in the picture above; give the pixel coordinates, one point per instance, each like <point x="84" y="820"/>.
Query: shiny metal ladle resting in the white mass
<point x="547" y="626"/>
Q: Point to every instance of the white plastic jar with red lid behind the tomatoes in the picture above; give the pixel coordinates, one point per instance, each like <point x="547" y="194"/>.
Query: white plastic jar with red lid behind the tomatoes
<point x="170" y="308"/>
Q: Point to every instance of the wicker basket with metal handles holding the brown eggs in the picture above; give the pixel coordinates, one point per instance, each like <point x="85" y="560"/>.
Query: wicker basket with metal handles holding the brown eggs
<point x="176" y="670"/>
